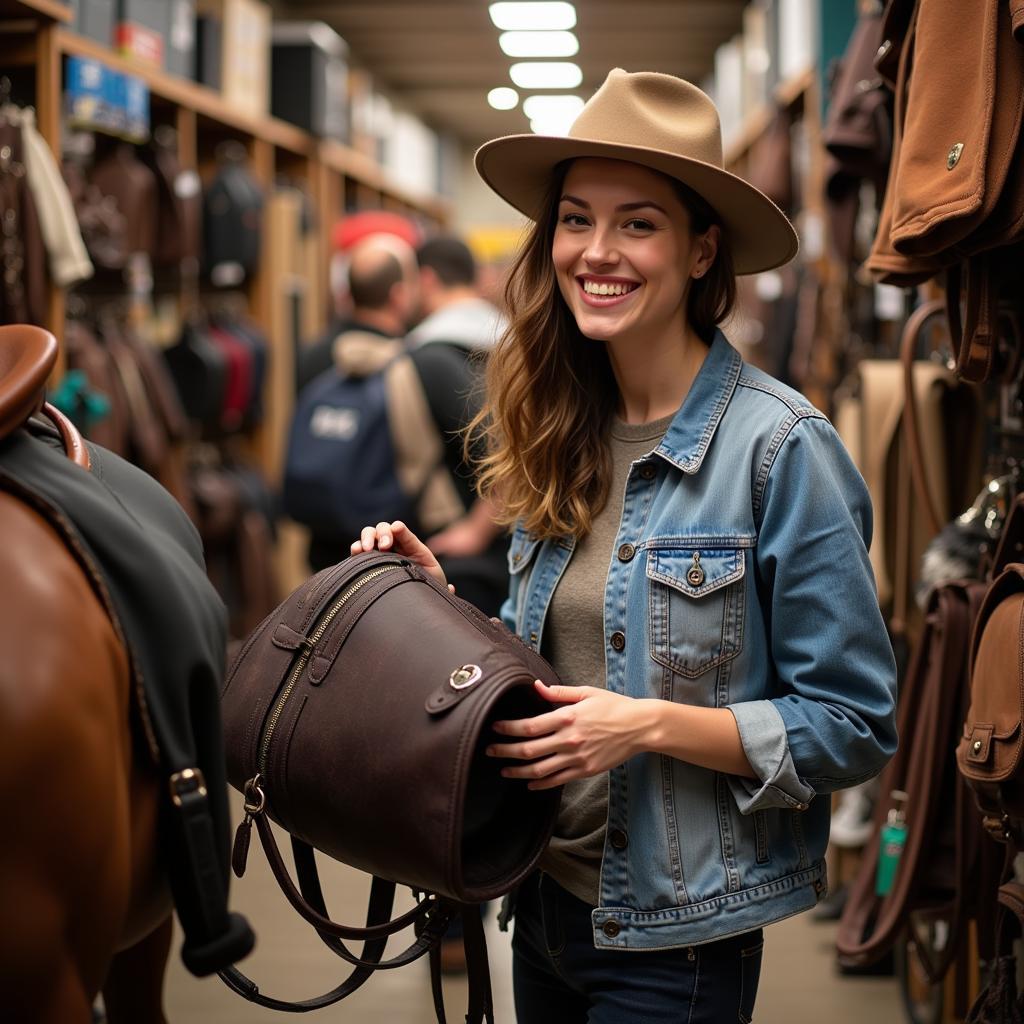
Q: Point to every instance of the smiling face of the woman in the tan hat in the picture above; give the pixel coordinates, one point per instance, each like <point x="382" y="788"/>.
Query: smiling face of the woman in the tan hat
<point x="623" y="250"/>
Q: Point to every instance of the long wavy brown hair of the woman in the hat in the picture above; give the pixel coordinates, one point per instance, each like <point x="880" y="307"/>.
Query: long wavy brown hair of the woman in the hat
<point x="551" y="393"/>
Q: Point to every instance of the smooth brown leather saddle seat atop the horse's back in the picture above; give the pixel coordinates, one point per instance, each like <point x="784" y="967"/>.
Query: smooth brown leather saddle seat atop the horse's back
<point x="28" y="356"/>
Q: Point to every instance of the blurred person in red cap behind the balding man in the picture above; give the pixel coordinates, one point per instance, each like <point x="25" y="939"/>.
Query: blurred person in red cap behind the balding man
<point x="368" y="231"/>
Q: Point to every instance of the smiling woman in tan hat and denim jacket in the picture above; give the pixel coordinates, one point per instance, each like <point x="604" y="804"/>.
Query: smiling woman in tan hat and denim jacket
<point x="691" y="552"/>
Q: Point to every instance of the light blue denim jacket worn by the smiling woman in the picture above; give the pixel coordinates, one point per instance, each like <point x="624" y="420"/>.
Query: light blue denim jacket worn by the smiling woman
<point x="740" y="579"/>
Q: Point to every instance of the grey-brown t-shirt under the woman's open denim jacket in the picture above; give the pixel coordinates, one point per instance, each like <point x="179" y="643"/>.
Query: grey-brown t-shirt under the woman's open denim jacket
<point x="575" y="646"/>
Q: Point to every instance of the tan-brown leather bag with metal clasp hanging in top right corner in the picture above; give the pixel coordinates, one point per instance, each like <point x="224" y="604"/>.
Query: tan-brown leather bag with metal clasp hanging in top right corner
<point x="956" y="191"/>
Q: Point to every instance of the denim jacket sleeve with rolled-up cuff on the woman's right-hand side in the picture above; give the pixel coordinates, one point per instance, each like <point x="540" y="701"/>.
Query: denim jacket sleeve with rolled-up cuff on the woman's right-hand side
<point x="829" y="720"/>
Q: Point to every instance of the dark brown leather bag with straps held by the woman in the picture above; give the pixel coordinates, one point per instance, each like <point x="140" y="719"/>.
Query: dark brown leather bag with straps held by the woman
<point x="357" y="717"/>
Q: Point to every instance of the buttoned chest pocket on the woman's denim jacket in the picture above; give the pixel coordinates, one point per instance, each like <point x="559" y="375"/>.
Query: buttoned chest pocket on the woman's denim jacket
<point x="697" y="607"/>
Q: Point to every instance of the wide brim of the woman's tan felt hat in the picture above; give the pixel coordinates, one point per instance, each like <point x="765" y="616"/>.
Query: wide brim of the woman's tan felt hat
<point x="520" y="169"/>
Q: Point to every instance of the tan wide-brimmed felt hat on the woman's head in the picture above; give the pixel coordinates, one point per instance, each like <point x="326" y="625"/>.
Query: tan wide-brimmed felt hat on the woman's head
<point x="661" y="122"/>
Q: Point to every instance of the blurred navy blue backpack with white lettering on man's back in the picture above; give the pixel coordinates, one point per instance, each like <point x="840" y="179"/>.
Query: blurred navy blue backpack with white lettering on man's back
<point x="340" y="467"/>
